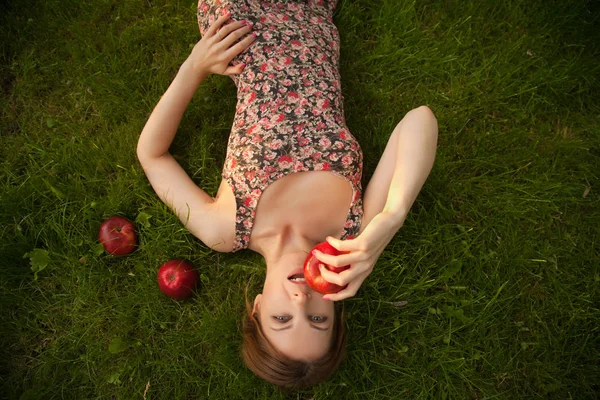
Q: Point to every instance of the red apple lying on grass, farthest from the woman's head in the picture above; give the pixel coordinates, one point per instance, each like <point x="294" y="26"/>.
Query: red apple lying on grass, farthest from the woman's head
<point x="117" y="235"/>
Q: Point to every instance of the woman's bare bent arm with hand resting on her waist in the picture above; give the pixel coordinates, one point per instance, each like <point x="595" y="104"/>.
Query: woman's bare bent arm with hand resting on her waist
<point x="195" y="208"/>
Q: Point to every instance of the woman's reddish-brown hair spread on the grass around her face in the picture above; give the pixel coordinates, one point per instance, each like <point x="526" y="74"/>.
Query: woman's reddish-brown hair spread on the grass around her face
<point x="271" y="365"/>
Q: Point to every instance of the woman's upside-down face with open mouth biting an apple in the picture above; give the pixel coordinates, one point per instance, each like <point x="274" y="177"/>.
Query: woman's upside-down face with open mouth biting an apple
<point x="295" y="318"/>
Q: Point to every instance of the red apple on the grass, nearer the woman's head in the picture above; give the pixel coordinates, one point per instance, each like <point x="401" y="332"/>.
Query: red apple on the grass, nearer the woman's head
<point x="177" y="279"/>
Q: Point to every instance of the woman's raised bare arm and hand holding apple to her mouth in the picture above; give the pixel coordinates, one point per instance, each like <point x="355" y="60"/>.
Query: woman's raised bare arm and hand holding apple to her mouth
<point x="398" y="179"/>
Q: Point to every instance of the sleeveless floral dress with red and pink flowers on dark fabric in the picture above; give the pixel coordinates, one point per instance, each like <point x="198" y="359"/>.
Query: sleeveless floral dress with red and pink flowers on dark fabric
<point x="289" y="114"/>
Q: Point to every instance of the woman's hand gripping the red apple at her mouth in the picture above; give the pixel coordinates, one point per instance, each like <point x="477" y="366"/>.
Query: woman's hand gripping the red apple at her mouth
<point x="362" y="254"/>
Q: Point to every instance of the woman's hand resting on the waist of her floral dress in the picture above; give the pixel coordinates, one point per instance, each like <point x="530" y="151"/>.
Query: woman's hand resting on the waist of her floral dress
<point x="213" y="53"/>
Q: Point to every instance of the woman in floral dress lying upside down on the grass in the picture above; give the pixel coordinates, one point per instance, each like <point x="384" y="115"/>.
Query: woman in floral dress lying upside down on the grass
<point x="289" y="139"/>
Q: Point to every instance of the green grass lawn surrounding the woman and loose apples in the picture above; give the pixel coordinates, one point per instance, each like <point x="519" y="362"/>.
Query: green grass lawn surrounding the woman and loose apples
<point x="498" y="260"/>
